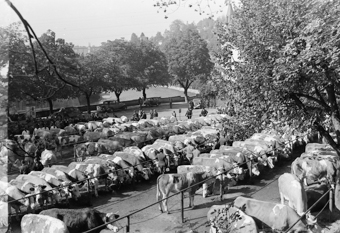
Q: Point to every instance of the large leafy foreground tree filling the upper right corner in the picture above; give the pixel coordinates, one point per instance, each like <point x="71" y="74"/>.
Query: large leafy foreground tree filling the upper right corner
<point x="290" y="54"/>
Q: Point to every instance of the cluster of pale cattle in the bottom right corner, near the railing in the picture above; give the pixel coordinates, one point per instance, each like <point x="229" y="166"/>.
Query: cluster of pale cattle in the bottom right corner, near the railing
<point x="312" y="175"/>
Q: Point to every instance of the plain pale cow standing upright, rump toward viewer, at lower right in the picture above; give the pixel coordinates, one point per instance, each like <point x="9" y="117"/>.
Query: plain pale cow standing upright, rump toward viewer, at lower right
<point x="291" y="188"/>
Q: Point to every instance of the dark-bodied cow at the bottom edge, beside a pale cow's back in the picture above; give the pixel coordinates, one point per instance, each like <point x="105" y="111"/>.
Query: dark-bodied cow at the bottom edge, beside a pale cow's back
<point x="80" y="220"/>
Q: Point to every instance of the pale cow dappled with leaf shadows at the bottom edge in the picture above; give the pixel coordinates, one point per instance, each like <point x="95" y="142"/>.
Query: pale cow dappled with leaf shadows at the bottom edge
<point x="235" y="219"/>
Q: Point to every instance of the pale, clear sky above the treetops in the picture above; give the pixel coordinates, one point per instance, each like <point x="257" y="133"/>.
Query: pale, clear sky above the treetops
<point x="85" y="22"/>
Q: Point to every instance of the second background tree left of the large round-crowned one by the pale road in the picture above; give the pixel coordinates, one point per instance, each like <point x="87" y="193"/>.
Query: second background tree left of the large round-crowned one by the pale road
<point x="116" y="57"/>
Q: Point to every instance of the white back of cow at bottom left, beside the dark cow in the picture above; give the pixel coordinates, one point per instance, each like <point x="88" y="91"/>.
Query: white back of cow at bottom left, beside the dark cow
<point x="40" y="224"/>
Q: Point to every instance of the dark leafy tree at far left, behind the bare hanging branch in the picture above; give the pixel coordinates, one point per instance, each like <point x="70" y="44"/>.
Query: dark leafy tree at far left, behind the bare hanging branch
<point x="36" y="79"/>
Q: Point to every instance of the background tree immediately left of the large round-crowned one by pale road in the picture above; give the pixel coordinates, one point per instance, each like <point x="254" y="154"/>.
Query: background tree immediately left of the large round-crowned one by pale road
<point x="149" y="65"/>
